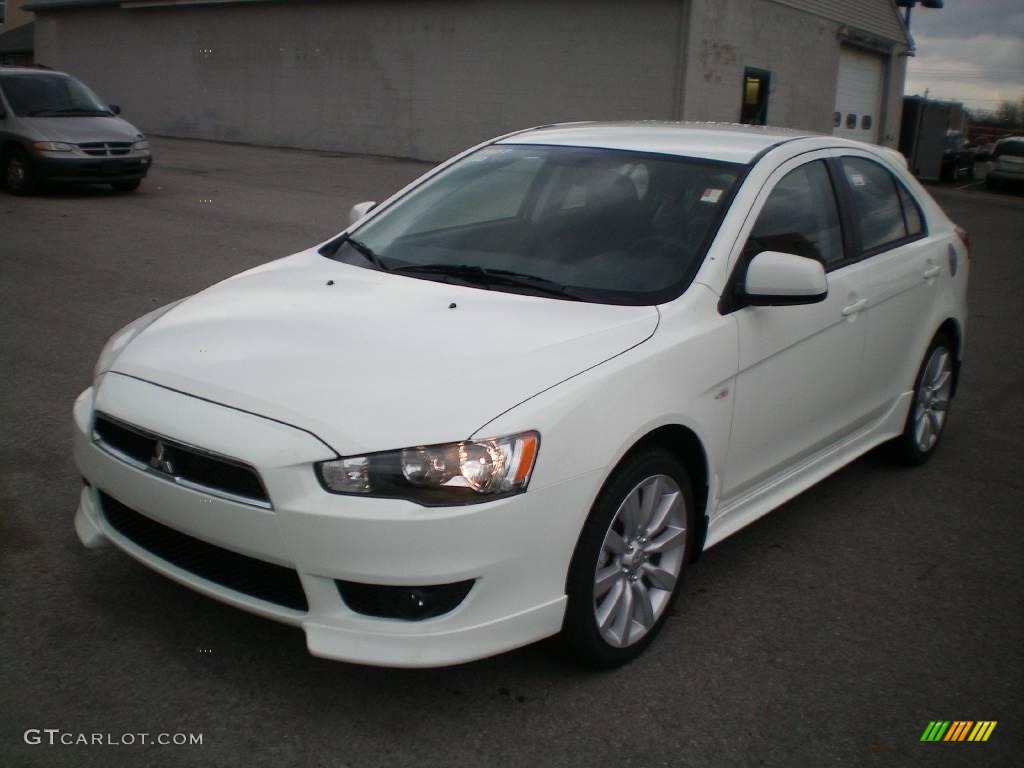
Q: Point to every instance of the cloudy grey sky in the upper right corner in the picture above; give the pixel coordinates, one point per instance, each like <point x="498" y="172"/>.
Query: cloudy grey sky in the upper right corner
<point x="971" y="51"/>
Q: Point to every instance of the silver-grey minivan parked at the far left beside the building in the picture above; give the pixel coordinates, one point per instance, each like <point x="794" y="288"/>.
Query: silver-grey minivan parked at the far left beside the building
<point x="54" y="129"/>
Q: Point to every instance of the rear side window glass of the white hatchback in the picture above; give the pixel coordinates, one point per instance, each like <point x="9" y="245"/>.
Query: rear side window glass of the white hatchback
<point x="880" y="203"/>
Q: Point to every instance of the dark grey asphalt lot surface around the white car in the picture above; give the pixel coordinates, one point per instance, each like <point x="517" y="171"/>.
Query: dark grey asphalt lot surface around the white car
<point x="830" y="633"/>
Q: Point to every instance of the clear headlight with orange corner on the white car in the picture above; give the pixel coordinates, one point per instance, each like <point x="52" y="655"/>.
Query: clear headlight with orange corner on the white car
<point x="465" y="473"/>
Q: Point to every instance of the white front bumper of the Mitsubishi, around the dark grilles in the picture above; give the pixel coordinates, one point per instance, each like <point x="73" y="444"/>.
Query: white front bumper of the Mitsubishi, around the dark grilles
<point x="517" y="551"/>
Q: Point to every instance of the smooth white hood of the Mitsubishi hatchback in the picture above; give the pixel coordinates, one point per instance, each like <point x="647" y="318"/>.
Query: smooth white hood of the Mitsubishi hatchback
<point x="375" y="361"/>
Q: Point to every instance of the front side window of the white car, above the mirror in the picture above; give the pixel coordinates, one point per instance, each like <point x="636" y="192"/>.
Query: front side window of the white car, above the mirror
<point x="800" y="218"/>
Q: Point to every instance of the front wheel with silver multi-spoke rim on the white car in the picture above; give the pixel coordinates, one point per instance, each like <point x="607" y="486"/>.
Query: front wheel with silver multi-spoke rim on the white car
<point x="628" y="569"/>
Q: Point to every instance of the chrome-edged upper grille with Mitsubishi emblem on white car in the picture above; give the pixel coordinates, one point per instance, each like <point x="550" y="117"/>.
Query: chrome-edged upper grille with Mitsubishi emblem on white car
<point x="180" y="463"/>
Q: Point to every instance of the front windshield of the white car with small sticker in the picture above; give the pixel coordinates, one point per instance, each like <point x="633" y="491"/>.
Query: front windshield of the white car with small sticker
<point x="600" y="226"/>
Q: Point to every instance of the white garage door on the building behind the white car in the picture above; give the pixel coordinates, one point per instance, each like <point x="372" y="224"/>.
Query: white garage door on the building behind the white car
<point x="859" y="95"/>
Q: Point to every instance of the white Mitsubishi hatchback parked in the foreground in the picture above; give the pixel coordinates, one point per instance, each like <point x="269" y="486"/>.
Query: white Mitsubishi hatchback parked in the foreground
<point x="522" y="396"/>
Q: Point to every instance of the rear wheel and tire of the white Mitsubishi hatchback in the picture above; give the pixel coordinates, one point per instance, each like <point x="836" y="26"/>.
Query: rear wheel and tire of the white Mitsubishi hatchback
<point x="930" y="408"/>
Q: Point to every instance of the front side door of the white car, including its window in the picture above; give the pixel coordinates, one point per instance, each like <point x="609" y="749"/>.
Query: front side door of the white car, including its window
<point x="800" y="377"/>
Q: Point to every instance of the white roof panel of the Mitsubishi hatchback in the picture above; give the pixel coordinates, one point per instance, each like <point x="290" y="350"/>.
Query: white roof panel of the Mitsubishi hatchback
<point x="722" y="142"/>
